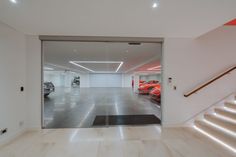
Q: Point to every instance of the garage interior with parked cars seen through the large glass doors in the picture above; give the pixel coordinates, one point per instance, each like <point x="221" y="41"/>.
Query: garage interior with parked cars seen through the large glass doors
<point x="93" y="84"/>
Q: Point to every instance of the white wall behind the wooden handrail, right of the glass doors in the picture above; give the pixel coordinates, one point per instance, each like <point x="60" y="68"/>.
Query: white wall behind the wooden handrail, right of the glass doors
<point x="192" y="61"/>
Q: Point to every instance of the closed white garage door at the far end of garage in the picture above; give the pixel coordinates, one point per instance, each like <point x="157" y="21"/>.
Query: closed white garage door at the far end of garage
<point x="105" y="80"/>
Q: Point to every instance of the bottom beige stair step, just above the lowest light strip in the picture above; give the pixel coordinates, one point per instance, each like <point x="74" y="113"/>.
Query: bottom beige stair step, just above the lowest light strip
<point x="220" y="135"/>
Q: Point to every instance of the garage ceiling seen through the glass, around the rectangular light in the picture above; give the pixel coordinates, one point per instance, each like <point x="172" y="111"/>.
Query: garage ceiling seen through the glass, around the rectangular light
<point x="58" y="54"/>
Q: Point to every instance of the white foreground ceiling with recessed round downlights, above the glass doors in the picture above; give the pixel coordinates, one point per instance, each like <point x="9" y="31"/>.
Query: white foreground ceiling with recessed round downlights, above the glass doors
<point x="134" y="18"/>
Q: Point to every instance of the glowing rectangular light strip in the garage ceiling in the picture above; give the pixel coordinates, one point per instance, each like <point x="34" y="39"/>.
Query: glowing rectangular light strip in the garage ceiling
<point x="78" y="63"/>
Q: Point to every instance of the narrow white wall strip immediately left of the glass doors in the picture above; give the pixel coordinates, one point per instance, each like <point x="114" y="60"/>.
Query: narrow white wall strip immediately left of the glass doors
<point x="33" y="64"/>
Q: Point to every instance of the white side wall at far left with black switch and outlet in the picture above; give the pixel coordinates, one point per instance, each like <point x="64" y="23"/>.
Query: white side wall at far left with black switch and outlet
<point x="12" y="68"/>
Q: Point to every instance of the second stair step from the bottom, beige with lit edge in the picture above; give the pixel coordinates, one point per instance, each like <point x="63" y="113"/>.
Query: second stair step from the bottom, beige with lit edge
<point x="221" y="122"/>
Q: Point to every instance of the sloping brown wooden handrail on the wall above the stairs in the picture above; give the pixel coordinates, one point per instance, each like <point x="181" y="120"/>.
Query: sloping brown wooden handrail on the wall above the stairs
<point x="209" y="82"/>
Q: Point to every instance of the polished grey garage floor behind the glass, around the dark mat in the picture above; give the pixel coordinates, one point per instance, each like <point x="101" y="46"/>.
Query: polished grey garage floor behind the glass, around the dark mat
<point x="78" y="107"/>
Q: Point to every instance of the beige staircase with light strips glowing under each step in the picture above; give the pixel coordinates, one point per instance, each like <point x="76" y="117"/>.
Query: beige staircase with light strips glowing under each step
<point x="220" y="125"/>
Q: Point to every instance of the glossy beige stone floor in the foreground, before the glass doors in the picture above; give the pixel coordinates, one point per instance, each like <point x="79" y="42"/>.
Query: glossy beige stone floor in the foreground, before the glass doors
<point x="148" y="141"/>
